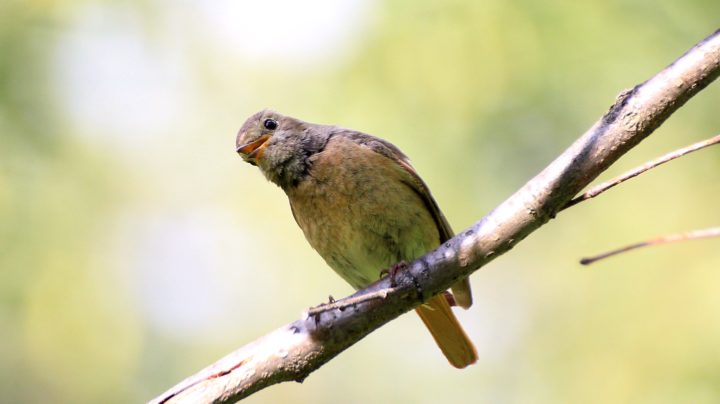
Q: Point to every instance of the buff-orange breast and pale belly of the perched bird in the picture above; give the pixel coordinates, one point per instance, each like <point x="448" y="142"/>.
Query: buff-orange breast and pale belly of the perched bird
<point x="358" y="211"/>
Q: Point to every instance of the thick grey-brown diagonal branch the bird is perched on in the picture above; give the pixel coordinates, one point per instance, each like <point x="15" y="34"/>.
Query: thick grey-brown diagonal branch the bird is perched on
<point x="295" y="350"/>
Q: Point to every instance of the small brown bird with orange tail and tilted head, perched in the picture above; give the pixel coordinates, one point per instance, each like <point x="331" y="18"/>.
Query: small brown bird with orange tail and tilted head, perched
<point x="361" y="206"/>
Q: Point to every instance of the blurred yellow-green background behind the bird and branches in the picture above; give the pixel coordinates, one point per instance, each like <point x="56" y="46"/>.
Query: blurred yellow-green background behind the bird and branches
<point x="136" y="247"/>
